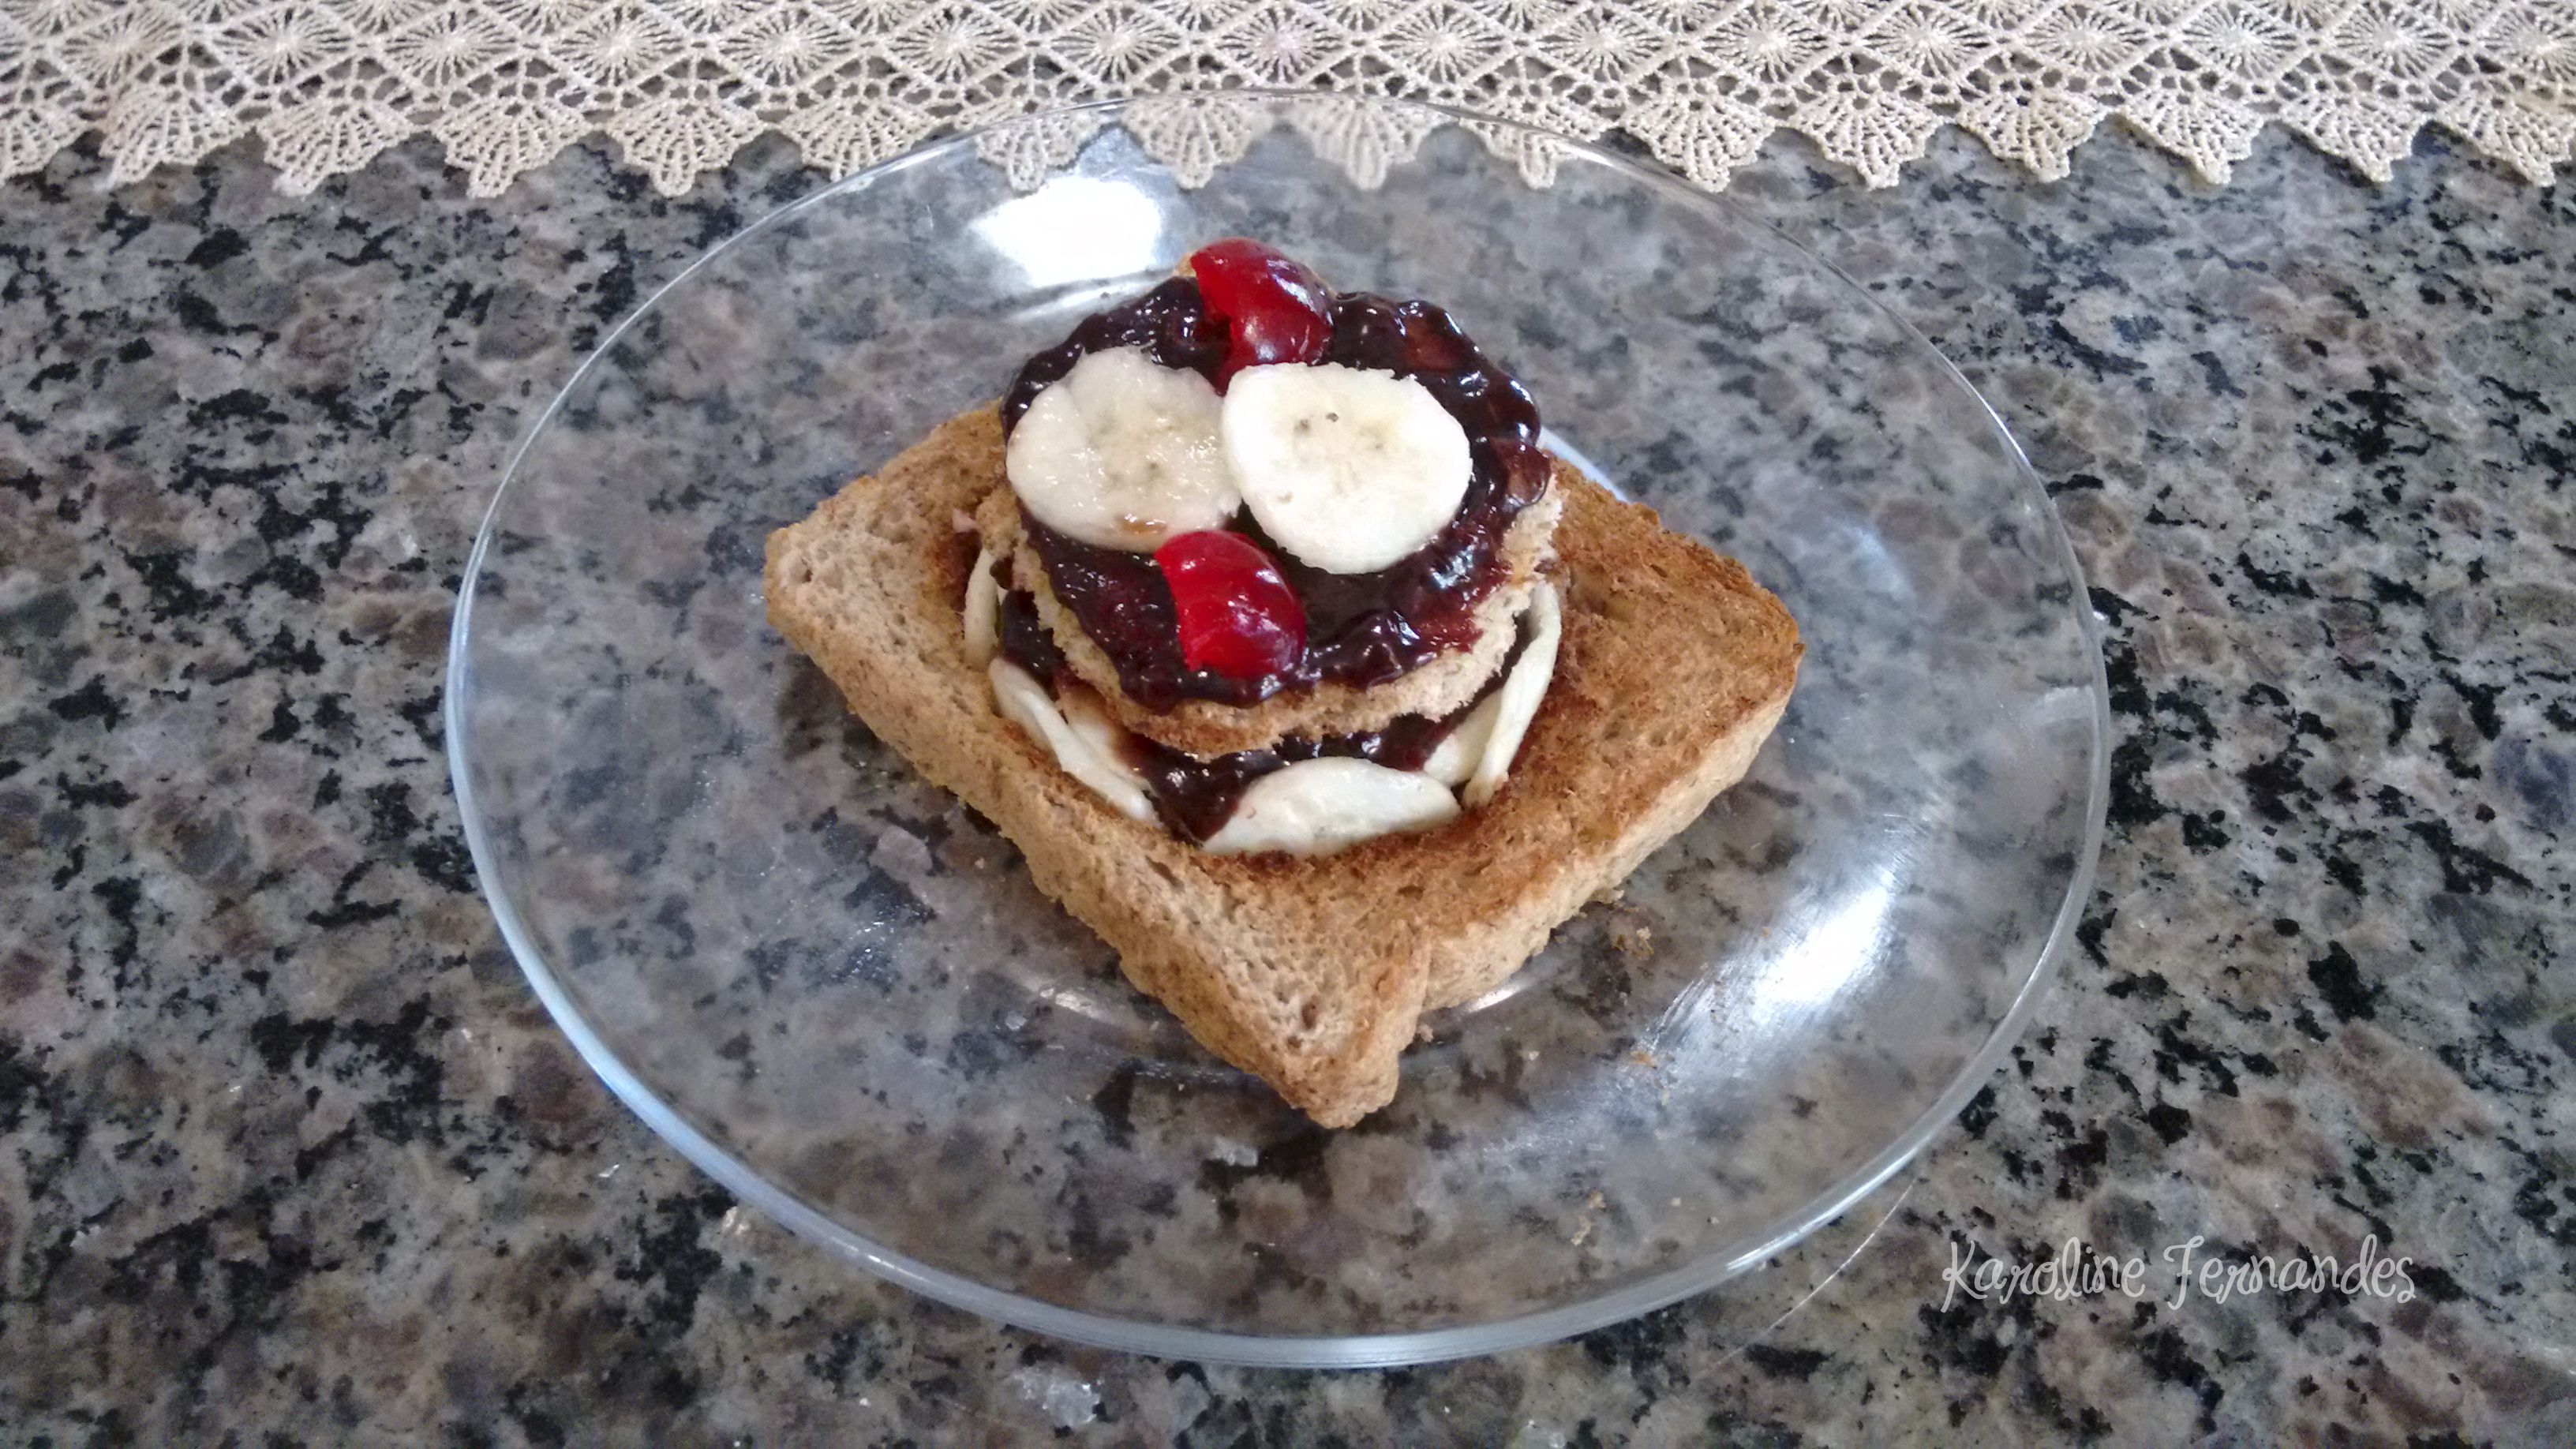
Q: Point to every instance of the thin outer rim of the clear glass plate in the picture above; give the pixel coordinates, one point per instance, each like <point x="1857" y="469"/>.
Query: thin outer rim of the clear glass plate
<point x="1258" y="1350"/>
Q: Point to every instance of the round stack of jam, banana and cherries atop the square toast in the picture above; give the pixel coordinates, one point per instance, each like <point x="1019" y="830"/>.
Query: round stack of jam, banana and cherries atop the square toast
<point x="1271" y="561"/>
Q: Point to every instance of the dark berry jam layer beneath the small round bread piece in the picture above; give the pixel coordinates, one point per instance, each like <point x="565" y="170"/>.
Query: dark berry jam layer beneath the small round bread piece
<point x="1197" y="798"/>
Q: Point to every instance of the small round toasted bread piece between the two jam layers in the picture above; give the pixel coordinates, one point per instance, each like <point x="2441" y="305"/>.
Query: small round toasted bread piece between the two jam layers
<point x="1207" y="731"/>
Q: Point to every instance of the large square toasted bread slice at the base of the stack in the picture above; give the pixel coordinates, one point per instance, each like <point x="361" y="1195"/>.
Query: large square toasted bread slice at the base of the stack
<point x="1310" y="973"/>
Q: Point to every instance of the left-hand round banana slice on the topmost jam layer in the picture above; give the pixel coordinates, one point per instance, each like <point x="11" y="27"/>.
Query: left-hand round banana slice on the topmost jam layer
<point x="1122" y="455"/>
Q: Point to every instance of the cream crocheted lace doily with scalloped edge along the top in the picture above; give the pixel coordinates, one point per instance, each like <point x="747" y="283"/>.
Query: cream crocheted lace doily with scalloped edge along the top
<point x="684" y="84"/>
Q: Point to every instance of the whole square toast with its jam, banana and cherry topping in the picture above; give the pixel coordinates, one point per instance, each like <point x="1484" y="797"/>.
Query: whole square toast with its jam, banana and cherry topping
<point x="1258" y="620"/>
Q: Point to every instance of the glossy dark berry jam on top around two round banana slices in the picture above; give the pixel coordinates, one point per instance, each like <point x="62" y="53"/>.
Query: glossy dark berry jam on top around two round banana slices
<point x="1361" y="630"/>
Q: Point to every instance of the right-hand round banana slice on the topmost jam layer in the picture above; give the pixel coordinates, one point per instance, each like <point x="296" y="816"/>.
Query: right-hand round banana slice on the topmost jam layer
<point x="1343" y="468"/>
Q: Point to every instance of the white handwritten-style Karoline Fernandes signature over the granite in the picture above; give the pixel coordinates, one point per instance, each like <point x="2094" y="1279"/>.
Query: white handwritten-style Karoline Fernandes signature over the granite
<point x="2080" y="1272"/>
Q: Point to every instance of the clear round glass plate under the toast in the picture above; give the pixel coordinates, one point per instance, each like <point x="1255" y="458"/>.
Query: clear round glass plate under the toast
<point x="838" y="994"/>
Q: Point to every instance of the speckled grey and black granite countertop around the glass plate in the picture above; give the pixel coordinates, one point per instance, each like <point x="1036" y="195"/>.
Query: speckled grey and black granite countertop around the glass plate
<point x="290" y="1146"/>
